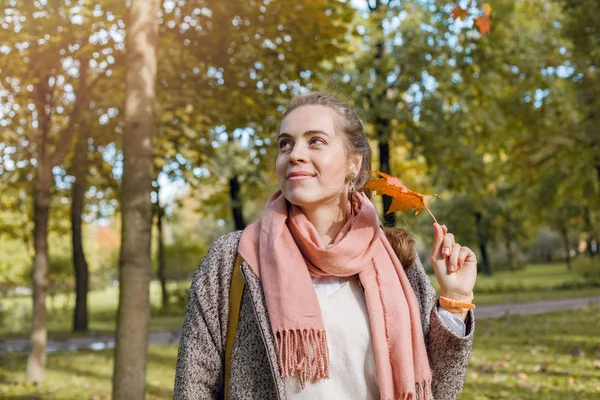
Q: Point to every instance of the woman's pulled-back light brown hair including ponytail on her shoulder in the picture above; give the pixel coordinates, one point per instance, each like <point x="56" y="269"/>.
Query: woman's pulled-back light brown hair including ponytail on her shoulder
<point x="356" y="142"/>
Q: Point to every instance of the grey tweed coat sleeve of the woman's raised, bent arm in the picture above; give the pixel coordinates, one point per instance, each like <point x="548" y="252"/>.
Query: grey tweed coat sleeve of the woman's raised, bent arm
<point x="448" y="353"/>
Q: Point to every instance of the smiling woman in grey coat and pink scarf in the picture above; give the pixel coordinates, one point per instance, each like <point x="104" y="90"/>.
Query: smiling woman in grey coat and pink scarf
<point x="332" y="308"/>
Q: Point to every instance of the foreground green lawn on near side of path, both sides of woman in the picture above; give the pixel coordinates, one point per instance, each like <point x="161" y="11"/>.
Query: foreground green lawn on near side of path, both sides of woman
<point x="554" y="356"/>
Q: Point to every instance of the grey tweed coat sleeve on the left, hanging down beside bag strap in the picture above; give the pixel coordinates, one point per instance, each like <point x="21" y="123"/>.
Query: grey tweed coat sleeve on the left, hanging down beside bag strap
<point x="201" y="356"/>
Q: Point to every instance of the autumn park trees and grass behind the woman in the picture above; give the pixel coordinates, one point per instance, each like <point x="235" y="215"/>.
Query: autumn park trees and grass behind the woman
<point x="493" y="106"/>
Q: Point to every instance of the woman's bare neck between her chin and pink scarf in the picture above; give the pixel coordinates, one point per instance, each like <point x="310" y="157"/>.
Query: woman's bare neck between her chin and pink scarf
<point x="328" y="219"/>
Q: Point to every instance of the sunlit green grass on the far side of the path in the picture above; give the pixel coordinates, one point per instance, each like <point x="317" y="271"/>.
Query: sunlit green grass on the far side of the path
<point x="536" y="282"/>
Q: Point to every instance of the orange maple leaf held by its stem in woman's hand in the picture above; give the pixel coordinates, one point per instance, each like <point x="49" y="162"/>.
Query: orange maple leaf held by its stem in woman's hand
<point x="403" y="199"/>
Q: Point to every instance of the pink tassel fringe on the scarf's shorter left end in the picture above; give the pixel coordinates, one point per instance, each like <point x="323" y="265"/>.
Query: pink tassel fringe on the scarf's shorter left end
<point x="303" y="352"/>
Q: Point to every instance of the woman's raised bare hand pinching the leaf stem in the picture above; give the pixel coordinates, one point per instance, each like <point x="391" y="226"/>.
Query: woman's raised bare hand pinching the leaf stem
<point x="455" y="266"/>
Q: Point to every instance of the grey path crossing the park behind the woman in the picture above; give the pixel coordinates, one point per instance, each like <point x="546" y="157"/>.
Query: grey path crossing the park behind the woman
<point x="108" y="342"/>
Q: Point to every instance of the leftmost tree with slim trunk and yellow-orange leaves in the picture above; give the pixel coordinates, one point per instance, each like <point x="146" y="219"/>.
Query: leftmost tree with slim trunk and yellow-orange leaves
<point x="47" y="78"/>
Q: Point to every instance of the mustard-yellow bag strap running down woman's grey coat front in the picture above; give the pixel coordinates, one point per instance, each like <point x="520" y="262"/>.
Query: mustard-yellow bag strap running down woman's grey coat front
<point x="235" y="301"/>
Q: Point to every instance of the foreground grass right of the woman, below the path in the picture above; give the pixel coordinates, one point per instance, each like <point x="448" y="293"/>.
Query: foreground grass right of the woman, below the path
<point x="553" y="356"/>
